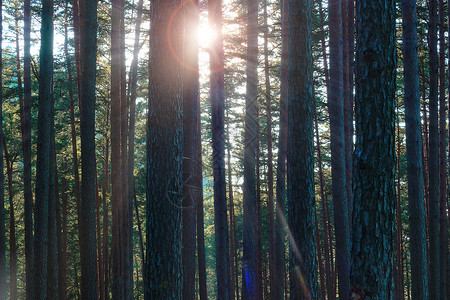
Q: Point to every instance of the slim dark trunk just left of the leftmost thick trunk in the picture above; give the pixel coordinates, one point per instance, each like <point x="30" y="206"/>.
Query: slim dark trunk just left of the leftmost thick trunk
<point x="27" y="188"/>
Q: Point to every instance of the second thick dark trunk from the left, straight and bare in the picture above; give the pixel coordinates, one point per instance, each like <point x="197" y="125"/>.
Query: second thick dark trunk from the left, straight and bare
<point x="88" y="237"/>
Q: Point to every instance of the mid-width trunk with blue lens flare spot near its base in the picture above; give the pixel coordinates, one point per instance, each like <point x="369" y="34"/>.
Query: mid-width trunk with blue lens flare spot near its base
<point x="251" y="107"/>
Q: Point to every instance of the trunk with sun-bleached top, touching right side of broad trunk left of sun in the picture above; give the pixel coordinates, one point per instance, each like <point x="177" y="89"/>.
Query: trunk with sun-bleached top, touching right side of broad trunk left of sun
<point x="190" y="145"/>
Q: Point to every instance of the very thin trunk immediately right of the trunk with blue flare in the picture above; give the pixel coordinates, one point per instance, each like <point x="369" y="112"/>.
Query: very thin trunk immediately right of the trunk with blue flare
<point x="270" y="215"/>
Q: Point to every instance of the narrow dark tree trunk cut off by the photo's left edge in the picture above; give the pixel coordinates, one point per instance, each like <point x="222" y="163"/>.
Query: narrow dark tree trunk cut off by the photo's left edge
<point x="2" y="175"/>
